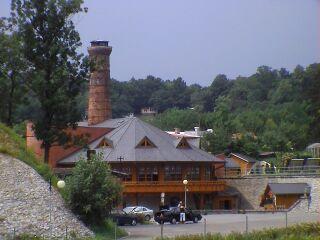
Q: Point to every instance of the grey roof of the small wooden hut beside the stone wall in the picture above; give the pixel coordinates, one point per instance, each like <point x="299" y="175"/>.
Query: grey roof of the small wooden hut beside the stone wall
<point x="288" y="188"/>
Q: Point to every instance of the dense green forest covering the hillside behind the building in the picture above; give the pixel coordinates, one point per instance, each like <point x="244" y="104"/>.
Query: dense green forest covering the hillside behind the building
<point x="272" y="110"/>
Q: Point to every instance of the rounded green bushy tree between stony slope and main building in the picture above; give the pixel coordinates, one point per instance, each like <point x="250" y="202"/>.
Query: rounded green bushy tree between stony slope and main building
<point x="91" y="189"/>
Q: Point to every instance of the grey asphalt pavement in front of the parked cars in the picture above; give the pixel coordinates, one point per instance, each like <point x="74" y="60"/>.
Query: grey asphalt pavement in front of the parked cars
<point x="220" y="223"/>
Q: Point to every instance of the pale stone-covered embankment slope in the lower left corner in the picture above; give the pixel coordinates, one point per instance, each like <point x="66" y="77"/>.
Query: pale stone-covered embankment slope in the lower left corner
<point x="25" y="204"/>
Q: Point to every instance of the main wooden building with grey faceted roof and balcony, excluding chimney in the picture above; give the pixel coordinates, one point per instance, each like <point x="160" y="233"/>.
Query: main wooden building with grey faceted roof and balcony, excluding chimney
<point x="155" y="162"/>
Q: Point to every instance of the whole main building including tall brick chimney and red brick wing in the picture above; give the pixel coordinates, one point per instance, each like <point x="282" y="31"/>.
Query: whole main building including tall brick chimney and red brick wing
<point x="154" y="162"/>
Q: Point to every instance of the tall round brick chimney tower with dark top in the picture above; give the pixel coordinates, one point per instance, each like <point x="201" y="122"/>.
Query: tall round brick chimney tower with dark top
<point x="99" y="107"/>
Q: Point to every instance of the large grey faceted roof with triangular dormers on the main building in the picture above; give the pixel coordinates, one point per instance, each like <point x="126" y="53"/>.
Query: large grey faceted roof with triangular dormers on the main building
<point x="129" y="132"/>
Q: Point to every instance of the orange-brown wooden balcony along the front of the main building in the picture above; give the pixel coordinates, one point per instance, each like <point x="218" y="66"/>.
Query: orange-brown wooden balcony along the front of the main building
<point x="173" y="187"/>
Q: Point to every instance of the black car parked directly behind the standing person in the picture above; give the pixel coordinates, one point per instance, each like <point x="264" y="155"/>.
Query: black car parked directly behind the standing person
<point x="172" y="215"/>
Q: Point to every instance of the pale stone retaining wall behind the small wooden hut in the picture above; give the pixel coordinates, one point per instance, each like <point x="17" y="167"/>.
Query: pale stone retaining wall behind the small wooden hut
<point x="250" y="190"/>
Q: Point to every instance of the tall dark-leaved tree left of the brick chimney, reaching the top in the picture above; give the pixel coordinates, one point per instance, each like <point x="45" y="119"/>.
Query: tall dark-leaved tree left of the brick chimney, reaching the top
<point x="55" y="68"/>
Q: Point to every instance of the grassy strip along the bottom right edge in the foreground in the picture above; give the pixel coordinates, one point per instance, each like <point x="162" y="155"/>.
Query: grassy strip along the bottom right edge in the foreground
<point x="305" y="231"/>
